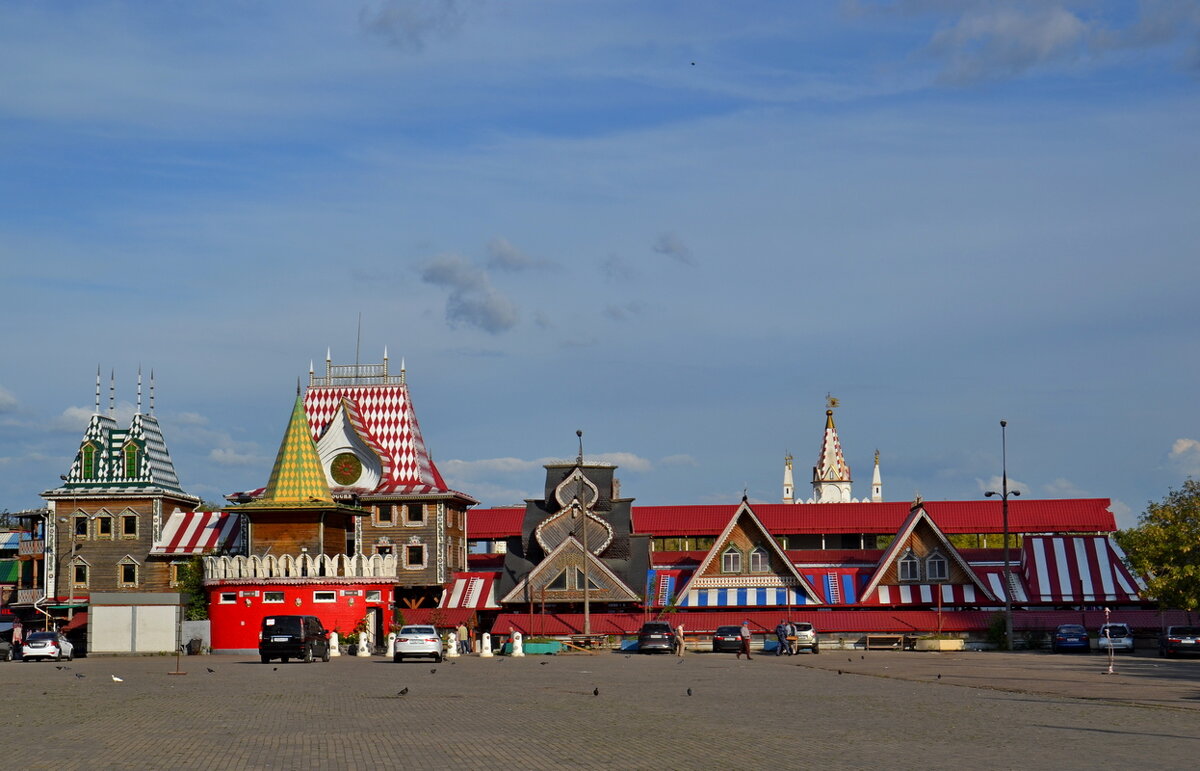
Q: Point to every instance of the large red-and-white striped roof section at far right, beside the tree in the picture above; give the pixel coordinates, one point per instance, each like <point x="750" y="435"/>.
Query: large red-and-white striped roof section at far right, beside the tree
<point x="1077" y="570"/>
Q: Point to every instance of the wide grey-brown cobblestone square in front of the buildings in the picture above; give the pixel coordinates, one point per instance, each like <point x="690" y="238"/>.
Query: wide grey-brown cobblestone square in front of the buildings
<point x="844" y="710"/>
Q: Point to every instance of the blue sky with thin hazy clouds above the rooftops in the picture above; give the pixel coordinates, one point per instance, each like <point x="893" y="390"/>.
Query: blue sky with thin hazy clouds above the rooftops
<point x="676" y="226"/>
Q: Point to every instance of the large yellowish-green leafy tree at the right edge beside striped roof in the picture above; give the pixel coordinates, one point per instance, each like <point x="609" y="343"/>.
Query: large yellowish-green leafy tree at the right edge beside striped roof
<point x="1166" y="547"/>
